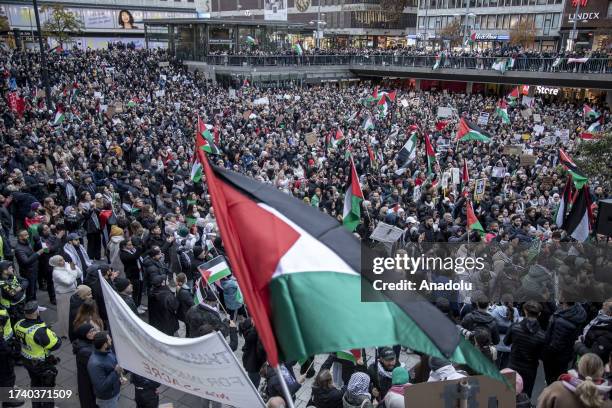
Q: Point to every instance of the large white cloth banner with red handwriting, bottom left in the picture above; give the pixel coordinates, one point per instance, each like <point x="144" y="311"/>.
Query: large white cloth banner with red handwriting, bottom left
<point x="204" y="366"/>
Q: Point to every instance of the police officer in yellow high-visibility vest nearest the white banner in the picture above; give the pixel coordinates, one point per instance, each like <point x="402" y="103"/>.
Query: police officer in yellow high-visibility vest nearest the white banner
<point x="37" y="341"/>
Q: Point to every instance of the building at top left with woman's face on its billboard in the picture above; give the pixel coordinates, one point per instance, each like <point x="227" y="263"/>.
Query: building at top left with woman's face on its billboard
<point x="104" y="21"/>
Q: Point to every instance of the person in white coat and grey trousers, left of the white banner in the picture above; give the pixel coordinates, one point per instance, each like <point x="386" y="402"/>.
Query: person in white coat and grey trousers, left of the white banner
<point x="65" y="277"/>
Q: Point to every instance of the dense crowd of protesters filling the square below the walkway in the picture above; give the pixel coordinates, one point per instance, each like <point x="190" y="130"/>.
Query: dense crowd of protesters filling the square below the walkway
<point x="101" y="181"/>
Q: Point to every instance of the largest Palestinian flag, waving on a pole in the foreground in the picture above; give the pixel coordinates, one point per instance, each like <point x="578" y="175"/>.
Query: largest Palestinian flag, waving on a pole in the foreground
<point x="299" y="271"/>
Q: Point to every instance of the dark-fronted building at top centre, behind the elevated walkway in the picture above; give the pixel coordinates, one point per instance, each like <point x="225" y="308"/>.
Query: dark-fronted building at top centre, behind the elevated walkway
<point x="359" y="23"/>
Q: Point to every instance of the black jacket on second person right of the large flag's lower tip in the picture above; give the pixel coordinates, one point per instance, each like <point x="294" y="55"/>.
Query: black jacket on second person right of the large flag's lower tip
<point x="563" y="330"/>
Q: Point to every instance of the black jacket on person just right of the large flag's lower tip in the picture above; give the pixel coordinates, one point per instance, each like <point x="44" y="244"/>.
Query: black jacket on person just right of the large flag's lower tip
<point x="527" y="339"/>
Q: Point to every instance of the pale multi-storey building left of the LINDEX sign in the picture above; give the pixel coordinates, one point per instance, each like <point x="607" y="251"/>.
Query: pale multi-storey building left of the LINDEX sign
<point x="489" y="22"/>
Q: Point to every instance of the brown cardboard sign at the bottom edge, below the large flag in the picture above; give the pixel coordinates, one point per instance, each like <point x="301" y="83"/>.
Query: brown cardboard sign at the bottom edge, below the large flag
<point x="482" y="391"/>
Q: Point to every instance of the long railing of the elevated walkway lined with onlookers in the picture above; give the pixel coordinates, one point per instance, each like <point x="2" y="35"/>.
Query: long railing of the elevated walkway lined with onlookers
<point x="534" y="64"/>
